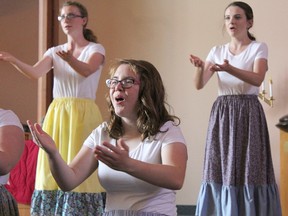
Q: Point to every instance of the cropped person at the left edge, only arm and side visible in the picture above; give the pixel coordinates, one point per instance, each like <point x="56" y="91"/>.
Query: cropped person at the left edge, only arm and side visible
<point x="11" y="149"/>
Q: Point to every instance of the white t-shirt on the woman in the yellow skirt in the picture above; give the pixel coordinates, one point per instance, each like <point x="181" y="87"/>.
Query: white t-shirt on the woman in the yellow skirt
<point x="67" y="82"/>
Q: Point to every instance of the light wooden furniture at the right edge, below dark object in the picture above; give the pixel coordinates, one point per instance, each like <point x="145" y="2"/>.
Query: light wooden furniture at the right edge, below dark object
<point x="284" y="171"/>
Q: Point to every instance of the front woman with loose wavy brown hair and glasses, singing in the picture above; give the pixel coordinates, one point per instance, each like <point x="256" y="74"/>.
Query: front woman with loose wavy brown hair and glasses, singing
<point x="140" y="152"/>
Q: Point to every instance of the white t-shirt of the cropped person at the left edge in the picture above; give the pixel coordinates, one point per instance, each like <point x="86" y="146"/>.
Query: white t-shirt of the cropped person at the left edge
<point x="7" y="117"/>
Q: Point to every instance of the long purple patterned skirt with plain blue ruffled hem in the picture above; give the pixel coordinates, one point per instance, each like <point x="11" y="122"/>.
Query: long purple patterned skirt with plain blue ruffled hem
<point x="238" y="176"/>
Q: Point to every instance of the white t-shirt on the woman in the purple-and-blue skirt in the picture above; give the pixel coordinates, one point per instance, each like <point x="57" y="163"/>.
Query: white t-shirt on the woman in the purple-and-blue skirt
<point x="229" y="84"/>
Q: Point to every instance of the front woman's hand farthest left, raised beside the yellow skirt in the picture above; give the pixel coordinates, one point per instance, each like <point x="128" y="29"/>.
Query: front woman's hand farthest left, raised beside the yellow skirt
<point x="41" y="138"/>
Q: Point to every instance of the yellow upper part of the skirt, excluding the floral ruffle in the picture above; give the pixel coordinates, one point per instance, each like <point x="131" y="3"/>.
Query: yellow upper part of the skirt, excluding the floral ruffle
<point x="69" y="121"/>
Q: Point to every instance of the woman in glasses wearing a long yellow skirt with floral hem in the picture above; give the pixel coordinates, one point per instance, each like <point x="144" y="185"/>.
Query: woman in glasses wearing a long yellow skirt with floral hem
<point x="73" y="113"/>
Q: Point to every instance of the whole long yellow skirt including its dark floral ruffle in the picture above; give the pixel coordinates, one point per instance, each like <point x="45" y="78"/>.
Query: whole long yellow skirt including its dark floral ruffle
<point x="69" y="121"/>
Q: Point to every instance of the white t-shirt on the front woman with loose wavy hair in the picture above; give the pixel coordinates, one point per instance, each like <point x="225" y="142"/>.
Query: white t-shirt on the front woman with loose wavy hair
<point x="125" y="192"/>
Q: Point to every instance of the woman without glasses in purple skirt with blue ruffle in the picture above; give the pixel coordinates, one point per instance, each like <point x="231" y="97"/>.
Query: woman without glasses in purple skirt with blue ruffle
<point x="238" y="176"/>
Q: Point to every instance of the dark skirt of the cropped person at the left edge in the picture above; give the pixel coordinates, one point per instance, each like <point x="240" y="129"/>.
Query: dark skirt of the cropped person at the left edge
<point x="8" y="205"/>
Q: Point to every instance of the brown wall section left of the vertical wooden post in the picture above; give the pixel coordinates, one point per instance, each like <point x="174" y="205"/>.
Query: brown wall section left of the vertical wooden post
<point x="19" y="36"/>
